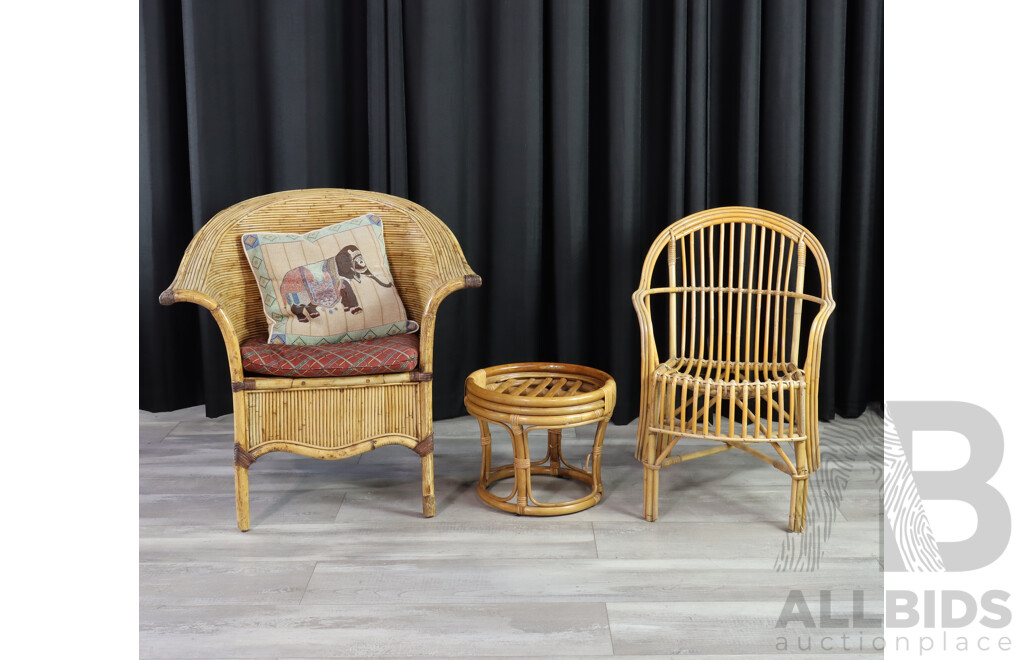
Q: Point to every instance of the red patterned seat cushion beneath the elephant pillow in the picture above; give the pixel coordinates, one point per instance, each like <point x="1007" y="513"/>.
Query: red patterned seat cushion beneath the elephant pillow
<point x="386" y="356"/>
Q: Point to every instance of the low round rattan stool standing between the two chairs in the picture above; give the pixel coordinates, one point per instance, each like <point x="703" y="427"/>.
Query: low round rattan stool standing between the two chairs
<point x="532" y="397"/>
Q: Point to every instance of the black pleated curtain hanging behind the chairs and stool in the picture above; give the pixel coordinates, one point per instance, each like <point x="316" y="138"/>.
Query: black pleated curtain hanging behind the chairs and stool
<point x="557" y="140"/>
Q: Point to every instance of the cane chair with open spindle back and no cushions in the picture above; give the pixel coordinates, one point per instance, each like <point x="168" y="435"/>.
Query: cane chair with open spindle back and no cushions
<point x="732" y="373"/>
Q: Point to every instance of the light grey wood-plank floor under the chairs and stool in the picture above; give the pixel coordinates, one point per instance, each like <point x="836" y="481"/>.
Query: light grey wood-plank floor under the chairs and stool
<point x="340" y="563"/>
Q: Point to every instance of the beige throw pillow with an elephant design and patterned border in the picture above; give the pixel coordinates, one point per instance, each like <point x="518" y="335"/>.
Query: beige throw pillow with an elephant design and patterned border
<point x="327" y="287"/>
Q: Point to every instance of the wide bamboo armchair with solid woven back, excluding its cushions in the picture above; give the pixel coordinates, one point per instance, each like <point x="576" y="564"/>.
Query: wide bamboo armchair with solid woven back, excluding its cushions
<point x="324" y="418"/>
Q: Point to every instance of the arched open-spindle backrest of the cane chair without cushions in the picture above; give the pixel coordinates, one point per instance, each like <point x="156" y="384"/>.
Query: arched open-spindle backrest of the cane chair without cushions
<point x="735" y="284"/>
